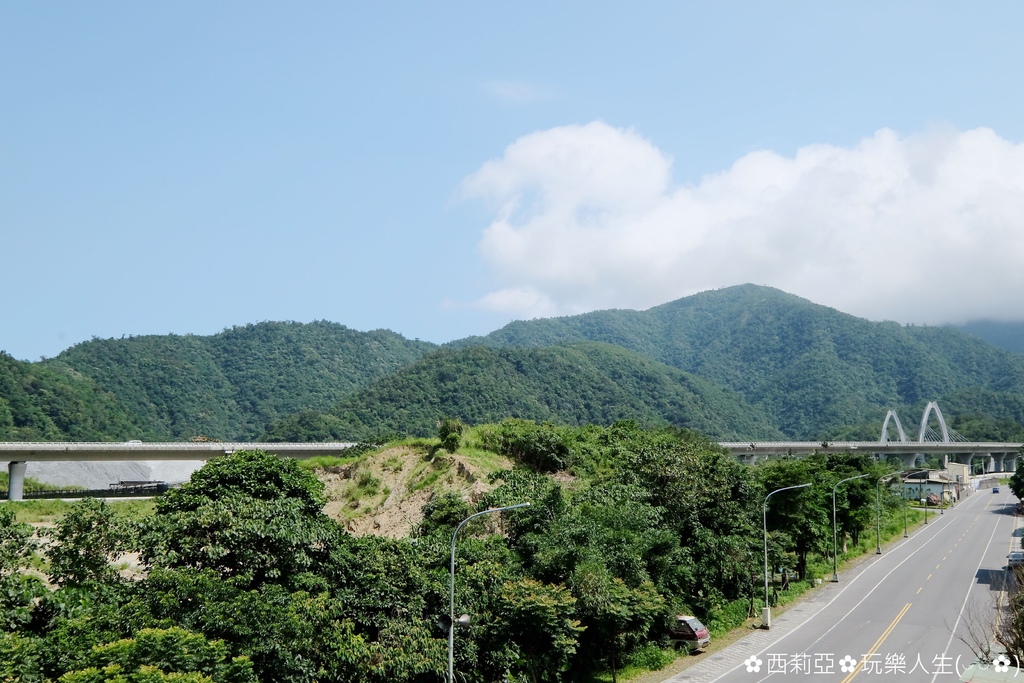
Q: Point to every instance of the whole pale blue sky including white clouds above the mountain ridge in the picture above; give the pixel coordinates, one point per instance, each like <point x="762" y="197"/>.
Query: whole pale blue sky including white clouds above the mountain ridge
<point x="441" y="169"/>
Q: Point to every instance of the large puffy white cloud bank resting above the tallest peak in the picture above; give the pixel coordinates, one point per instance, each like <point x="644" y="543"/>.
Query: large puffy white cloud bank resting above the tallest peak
<point x="928" y="229"/>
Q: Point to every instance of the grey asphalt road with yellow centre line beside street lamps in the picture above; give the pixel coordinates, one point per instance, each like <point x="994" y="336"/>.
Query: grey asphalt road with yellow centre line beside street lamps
<point x="897" y="616"/>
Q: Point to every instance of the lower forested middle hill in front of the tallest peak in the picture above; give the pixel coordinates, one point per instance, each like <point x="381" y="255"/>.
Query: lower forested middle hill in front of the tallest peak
<point x="586" y="382"/>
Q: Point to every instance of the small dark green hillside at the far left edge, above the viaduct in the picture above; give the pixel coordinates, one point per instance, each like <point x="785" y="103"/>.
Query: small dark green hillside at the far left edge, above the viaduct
<point x="40" y="404"/>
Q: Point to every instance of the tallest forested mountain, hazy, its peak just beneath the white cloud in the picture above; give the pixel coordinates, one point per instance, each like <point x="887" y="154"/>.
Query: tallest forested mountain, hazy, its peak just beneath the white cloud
<point x="812" y="369"/>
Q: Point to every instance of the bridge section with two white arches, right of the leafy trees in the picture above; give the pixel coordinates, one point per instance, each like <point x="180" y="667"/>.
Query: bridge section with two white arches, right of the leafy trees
<point x="996" y="457"/>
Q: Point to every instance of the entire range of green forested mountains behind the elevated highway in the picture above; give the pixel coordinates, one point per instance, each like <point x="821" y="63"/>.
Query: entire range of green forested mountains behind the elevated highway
<point x="745" y="362"/>
